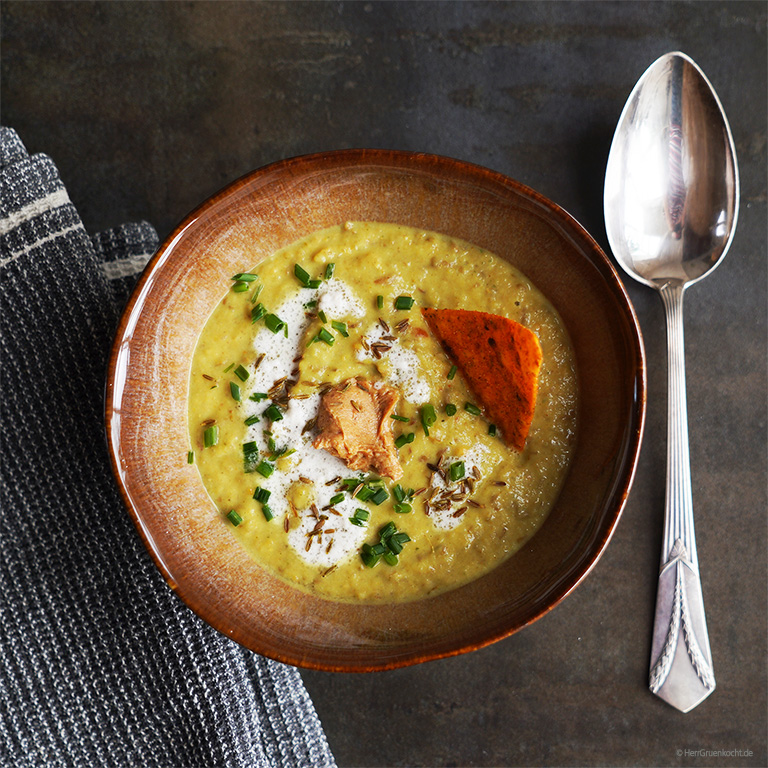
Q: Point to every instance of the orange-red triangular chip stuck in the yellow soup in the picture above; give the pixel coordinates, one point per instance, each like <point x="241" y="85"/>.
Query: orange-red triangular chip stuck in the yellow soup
<point x="500" y="361"/>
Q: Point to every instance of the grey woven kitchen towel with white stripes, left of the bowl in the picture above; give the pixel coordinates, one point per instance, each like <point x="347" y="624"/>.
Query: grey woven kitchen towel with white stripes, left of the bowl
<point x="100" y="664"/>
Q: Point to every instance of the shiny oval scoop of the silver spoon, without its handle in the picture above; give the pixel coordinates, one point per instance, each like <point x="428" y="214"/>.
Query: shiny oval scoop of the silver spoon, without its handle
<point x="671" y="187"/>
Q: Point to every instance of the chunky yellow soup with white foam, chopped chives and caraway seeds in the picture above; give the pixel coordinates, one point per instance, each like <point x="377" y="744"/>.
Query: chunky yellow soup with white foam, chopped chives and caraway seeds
<point x="276" y="342"/>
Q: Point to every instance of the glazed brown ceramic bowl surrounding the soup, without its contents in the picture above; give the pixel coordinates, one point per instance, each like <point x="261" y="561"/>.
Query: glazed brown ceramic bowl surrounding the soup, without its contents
<point x="271" y="207"/>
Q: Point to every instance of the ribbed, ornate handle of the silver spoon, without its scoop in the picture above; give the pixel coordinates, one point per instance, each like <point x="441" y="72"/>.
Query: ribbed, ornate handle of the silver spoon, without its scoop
<point x="681" y="661"/>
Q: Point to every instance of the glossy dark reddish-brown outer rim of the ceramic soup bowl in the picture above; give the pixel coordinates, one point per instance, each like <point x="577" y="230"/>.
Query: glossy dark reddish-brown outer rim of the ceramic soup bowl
<point x="456" y="170"/>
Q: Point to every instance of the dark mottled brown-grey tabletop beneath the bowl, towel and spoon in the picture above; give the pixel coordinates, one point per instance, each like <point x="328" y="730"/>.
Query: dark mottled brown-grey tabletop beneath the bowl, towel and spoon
<point x="147" y="108"/>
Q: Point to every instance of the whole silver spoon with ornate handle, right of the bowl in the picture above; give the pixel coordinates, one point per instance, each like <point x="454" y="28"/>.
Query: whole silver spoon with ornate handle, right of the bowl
<point x="671" y="204"/>
